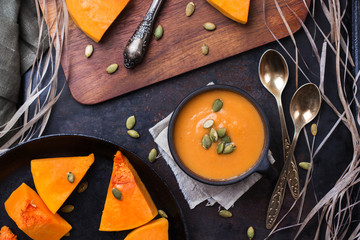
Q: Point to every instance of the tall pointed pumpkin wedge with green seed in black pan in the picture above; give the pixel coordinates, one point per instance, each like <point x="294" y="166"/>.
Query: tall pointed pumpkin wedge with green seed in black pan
<point x="135" y="206"/>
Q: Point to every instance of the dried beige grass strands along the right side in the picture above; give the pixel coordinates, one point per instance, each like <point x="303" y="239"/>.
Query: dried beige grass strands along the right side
<point x="335" y="209"/>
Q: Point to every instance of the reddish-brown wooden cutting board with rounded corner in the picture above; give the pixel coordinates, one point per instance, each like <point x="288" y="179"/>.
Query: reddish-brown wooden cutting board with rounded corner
<point x="177" y="52"/>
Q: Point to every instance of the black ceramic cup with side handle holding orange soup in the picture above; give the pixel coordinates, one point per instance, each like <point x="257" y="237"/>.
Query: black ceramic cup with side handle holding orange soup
<point x="262" y="165"/>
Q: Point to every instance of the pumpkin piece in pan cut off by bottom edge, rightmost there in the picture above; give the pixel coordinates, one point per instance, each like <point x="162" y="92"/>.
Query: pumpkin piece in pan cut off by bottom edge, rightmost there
<point x="157" y="229"/>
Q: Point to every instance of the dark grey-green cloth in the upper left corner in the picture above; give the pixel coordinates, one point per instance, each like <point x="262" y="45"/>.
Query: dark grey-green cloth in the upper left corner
<point x="18" y="45"/>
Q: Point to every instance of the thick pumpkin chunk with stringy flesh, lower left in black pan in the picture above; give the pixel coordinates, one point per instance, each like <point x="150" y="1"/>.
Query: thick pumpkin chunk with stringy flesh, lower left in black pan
<point x="33" y="217"/>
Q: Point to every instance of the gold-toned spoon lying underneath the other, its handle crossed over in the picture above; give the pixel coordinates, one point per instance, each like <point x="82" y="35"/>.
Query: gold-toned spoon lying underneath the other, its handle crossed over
<point x="274" y="74"/>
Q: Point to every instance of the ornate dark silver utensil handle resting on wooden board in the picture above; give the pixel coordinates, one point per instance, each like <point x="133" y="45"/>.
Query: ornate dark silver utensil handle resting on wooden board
<point x="137" y="45"/>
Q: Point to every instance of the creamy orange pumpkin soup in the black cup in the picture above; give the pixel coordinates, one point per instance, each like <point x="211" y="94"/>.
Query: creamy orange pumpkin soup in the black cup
<point x="243" y="125"/>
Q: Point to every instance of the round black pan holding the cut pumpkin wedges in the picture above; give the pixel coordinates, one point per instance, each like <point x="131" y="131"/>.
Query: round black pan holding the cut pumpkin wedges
<point x="85" y="219"/>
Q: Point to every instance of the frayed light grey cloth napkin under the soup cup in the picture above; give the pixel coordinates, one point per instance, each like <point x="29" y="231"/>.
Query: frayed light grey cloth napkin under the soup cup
<point x="194" y="191"/>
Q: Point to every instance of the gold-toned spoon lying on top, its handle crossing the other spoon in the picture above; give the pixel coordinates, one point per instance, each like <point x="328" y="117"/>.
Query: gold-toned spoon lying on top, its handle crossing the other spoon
<point x="304" y="106"/>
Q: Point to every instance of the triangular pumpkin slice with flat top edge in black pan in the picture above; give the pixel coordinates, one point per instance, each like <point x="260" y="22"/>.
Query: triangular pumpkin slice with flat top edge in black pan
<point x="51" y="177"/>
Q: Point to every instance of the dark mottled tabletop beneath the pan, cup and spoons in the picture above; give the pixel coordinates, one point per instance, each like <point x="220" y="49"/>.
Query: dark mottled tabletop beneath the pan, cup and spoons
<point x="153" y="103"/>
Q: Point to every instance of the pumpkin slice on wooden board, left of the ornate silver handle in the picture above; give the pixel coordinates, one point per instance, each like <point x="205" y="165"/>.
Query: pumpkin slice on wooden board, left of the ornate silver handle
<point x="95" y="17"/>
